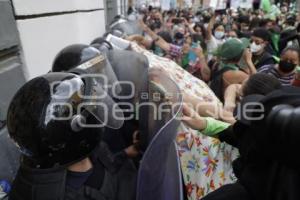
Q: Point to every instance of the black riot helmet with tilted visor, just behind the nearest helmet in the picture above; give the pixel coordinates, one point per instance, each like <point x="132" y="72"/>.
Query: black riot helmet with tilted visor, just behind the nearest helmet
<point x="90" y="63"/>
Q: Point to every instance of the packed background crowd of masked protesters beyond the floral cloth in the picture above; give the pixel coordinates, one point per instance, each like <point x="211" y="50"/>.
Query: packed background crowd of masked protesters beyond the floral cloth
<point x="225" y="47"/>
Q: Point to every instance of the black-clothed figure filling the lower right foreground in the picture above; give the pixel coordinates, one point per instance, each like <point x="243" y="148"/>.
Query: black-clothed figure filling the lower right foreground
<point x="267" y="168"/>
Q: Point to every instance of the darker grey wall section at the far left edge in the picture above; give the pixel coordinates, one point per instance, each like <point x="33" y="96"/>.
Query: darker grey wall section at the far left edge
<point x="11" y="73"/>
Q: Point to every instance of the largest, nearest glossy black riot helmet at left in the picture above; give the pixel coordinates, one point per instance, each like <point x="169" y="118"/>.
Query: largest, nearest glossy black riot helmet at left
<point x="50" y="122"/>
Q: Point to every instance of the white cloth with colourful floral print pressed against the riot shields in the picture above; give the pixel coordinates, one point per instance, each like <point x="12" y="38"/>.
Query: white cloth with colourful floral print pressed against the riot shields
<point x="205" y="161"/>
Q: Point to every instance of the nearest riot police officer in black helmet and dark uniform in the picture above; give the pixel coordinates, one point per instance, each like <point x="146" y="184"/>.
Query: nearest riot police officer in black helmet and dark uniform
<point x="57" y="131"/>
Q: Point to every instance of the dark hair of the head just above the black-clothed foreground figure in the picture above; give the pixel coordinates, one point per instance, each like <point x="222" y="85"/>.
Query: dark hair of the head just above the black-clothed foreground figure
<point x="261" y="84"/>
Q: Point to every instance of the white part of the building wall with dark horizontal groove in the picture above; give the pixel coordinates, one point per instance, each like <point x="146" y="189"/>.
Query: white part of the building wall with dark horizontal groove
<point x="45" y="27"/>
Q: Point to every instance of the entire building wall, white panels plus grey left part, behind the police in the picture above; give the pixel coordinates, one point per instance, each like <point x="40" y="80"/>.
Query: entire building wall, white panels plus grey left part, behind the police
<point x="32" y="32"/>
